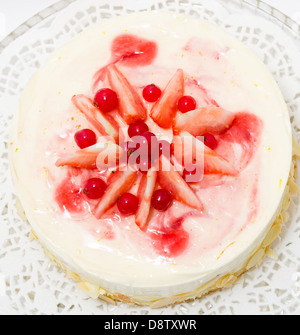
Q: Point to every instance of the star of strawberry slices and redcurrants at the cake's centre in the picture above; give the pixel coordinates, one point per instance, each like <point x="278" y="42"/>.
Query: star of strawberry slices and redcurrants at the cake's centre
<point x="165" y="171"/>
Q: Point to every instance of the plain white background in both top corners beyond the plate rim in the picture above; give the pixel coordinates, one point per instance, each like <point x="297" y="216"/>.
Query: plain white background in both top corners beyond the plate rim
<point x="15" y="12"/>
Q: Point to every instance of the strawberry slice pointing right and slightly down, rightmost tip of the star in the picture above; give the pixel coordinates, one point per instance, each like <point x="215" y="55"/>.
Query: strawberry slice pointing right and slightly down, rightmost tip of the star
<point x="189" y="150"/>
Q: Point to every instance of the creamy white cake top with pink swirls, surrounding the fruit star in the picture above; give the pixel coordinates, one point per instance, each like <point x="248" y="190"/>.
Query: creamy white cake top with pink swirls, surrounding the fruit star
<point x="239" y="199"/>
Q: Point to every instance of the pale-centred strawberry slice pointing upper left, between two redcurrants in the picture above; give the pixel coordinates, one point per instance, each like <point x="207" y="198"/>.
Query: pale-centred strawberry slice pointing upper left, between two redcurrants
<point x="104" y="124"/>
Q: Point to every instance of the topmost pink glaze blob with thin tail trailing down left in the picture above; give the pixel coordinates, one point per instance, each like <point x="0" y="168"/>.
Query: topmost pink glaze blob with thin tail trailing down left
<point x="130" y="50"/>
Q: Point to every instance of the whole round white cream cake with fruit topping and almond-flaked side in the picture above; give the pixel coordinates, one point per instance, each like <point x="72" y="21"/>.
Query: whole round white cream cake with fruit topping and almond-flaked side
<point x="210" y="195"/>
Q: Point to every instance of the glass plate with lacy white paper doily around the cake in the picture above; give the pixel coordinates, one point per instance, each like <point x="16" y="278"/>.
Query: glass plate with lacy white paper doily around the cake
<point x="29" y="283"/>
